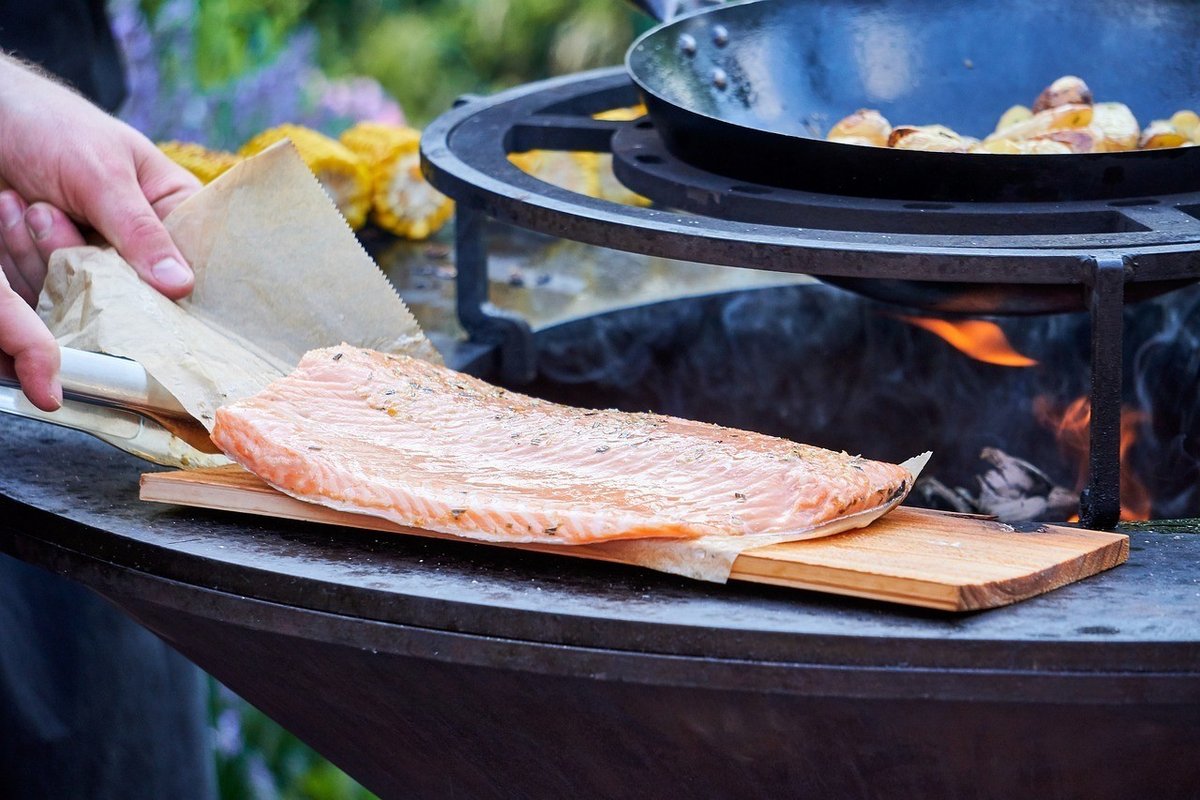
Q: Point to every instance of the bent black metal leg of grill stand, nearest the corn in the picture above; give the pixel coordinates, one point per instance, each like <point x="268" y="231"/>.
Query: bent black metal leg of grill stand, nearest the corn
<point x="483" y="321"/>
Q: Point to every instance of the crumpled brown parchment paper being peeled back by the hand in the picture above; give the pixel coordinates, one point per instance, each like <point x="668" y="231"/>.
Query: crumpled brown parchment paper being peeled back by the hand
<point x="278" y="273"/>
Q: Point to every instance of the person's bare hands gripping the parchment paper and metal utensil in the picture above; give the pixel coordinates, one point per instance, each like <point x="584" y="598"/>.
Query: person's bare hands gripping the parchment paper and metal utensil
<point x="67" y="163"/>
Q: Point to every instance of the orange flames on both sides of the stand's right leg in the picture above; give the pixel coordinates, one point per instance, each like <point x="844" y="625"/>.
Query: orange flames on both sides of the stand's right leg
<point x="1071" y="426"/>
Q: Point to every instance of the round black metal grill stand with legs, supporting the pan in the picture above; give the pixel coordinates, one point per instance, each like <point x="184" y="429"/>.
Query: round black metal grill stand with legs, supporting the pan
<point x="950" y="260"/>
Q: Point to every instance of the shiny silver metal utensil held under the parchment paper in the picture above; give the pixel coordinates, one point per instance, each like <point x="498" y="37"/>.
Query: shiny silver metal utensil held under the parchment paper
<point x="116" y="401"/>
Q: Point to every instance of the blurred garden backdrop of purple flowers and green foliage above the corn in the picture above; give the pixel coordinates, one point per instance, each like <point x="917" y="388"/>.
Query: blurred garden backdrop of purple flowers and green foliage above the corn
<point x="219" y="71"/>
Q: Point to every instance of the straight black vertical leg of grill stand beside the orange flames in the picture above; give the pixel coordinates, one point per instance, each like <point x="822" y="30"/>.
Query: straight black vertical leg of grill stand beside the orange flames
<point x="1101" y="501"/>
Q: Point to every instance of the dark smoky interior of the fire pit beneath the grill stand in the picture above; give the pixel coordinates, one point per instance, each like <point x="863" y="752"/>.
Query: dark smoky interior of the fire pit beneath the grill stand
<point x="820" y="365"/>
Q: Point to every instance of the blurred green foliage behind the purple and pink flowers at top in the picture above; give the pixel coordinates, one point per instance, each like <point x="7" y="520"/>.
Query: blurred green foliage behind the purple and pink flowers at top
<point x="424" y="52"/>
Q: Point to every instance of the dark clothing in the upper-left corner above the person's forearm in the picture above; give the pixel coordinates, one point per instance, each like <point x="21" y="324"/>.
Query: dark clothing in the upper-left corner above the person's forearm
<point x="73" y="40"/>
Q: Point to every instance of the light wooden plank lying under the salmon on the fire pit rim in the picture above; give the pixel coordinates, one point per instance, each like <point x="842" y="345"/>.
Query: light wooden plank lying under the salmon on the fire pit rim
<point x="913" y="557"/>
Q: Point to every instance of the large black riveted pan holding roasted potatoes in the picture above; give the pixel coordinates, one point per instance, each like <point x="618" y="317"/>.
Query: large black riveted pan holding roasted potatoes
<point x="749" y="91"/>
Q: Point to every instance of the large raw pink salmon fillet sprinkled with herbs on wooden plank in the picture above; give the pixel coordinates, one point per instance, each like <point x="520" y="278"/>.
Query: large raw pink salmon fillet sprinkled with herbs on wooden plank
<point x="427" y="447"/>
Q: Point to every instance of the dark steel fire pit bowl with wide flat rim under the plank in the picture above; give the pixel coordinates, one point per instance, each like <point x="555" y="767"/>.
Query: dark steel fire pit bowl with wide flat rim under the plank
<point x="433" y="670"/>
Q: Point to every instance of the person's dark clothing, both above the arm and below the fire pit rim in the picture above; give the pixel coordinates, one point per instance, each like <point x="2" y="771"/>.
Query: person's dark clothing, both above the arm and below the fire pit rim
<point x="92" y="705"/>
